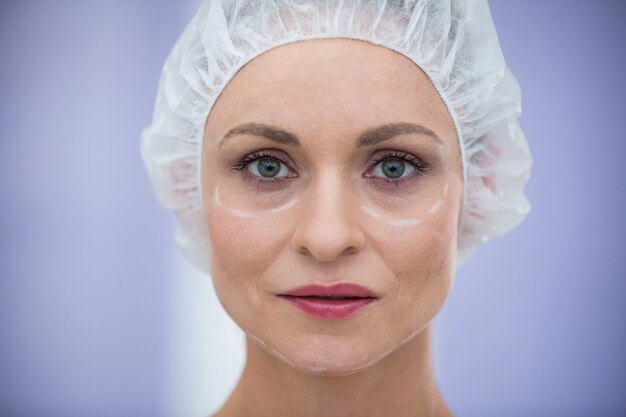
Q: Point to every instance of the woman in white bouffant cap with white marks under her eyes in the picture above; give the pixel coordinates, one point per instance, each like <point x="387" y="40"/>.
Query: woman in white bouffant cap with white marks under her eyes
<point x="331" y="163"/>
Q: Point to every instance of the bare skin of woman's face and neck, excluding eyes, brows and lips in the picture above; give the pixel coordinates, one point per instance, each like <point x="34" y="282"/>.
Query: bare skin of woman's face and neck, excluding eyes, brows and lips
<point x="377" y="362"/>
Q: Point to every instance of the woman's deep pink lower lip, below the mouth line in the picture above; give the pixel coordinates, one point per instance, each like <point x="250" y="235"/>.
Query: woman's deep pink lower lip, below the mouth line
<point x="327" y="308"/>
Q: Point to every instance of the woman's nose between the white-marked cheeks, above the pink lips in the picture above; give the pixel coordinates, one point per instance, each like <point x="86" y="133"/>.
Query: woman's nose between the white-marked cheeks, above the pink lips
<point x="329" y="226"/>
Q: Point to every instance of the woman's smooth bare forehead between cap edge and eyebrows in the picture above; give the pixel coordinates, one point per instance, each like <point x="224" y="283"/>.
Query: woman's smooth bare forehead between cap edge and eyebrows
<point x="330" y="85"/>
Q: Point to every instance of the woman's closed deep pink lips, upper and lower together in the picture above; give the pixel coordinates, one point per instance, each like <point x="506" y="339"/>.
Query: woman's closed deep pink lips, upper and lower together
<point x="310" y="299"/>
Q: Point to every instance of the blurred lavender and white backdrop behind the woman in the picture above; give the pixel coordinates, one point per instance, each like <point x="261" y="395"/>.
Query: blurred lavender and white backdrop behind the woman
<point x="101" y="316"/>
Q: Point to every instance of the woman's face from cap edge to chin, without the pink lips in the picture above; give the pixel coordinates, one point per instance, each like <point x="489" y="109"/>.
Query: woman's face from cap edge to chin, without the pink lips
<point x="331" y="161"/>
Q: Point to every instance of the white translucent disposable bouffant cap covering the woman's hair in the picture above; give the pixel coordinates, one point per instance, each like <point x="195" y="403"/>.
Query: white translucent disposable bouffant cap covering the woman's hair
<point x="453" y="41"/>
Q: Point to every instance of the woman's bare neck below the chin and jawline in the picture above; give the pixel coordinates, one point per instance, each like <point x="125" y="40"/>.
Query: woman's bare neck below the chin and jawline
<point x="400" y="385"/>
